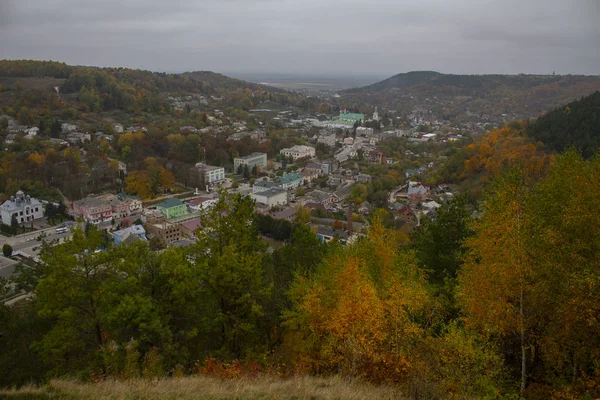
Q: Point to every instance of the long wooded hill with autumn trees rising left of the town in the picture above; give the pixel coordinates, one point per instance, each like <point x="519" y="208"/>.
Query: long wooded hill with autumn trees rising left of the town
<point x="94" y="89"/>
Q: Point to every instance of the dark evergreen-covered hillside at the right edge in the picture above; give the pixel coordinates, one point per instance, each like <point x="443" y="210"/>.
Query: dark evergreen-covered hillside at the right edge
<point x="576" y="124"/>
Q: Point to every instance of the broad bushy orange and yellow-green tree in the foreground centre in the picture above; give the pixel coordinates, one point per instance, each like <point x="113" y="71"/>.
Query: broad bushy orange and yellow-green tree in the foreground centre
<point x="359" y="313"/>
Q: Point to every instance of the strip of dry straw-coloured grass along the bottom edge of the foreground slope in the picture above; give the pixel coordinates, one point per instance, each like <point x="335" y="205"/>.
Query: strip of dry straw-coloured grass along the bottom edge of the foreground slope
<point x="208" y="388"/>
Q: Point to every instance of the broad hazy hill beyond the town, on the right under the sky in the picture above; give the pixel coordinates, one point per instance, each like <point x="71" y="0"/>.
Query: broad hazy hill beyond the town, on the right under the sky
<point x="476" y="98"/>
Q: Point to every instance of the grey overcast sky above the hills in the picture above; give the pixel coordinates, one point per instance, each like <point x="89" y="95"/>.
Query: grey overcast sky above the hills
<point x="375" y="37"/>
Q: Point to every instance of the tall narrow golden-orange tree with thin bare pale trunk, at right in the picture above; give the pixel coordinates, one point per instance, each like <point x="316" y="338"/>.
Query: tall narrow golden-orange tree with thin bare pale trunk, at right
<point x="496" y="280"/>
